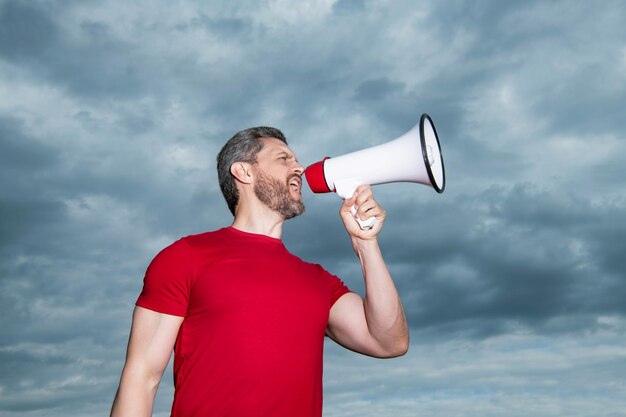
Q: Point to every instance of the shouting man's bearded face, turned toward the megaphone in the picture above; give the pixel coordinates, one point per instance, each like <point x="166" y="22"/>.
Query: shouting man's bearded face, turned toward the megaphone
<point x="279" y="184"/>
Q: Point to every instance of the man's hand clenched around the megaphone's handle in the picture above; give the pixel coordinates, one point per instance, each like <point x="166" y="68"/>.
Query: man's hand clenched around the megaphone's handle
<point x="366" y="207"/>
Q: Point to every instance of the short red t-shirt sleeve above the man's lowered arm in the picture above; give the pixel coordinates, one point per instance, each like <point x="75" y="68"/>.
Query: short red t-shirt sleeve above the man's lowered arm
<point x="167" y="281"/>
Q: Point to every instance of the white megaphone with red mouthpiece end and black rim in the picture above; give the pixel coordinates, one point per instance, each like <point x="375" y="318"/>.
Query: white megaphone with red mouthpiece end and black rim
<point x="413" y="157"/>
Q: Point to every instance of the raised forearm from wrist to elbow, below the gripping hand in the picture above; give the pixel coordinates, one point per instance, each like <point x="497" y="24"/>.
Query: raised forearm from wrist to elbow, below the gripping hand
<point x="383" y="309"/>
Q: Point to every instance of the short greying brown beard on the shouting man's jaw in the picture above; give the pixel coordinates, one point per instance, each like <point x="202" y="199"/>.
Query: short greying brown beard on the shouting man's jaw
<point x="275" y="195"/>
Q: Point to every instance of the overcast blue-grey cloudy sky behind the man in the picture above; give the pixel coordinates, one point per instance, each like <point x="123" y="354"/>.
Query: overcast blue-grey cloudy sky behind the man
<point x="513" y="279"/>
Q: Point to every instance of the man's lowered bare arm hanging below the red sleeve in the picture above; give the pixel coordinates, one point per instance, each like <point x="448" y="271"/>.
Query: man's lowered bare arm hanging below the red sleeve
<point x="152" y="339"/>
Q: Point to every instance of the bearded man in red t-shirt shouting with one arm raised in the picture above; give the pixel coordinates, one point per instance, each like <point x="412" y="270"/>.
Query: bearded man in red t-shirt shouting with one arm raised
<point x="246" y="318"/>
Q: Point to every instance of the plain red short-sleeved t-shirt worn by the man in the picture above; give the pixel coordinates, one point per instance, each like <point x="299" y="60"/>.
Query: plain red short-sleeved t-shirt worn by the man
<point x="251" y="343"/>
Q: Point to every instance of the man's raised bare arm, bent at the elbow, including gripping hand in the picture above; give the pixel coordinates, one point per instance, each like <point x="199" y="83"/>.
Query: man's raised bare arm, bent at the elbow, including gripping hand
<point x="377" y="325"/>
